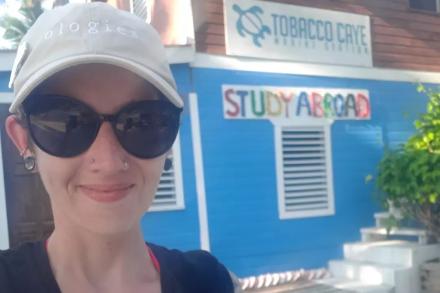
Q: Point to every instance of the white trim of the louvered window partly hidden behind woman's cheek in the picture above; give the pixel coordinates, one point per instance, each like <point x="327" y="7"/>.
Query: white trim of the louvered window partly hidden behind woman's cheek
<point x="178" y="181"/>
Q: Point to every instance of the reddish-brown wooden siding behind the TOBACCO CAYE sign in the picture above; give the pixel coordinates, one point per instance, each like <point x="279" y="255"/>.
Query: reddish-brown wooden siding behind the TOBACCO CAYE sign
<point x="401" y="37"/>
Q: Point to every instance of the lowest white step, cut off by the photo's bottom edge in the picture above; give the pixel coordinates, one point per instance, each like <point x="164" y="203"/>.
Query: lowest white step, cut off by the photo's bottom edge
<point x="356" y="286"/>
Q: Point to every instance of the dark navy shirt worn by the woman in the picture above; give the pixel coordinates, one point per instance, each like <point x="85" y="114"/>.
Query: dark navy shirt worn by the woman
<point x="26" y="269"/>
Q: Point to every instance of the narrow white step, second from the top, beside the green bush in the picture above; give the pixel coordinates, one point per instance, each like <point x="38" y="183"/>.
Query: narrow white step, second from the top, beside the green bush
<point x="379" y="233"/>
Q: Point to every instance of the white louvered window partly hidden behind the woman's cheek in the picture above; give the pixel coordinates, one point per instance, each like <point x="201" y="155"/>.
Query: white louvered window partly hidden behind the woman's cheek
<point x="169" y="194"/>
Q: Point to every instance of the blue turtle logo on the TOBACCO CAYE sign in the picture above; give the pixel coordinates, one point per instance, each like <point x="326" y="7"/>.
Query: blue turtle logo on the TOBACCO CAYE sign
<point x="249" y="22"/>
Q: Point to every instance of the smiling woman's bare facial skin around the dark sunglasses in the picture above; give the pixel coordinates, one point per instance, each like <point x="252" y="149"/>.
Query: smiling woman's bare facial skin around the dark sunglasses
<point x="95" y="190"/>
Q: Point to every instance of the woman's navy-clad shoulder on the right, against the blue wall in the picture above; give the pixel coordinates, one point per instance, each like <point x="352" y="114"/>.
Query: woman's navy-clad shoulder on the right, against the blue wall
<point x="196" y="270"/>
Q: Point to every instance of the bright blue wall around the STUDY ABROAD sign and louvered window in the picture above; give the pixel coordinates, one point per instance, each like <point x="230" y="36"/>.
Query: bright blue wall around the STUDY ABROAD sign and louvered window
<point x="239" y="160"/>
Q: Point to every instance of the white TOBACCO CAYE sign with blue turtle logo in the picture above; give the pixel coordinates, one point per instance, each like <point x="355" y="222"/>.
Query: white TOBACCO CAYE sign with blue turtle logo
<point x="265" y="29"/>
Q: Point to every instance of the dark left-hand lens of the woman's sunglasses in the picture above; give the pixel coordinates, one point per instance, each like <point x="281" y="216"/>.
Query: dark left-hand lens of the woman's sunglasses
<point x="62" y="126"/>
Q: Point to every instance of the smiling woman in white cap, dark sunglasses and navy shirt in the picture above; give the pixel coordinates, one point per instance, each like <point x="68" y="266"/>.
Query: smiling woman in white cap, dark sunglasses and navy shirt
<point x="96" y="111"/>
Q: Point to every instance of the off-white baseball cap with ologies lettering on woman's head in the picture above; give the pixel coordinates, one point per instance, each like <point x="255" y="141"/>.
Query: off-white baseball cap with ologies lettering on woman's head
<point x="95" y="32"/>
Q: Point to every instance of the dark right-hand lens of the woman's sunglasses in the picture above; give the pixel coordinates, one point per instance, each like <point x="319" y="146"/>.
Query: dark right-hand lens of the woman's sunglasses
<point x="148" y="129"/>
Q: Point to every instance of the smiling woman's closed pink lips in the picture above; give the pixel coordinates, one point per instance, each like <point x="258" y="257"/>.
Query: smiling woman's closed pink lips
<point x="106" y="193"/>
